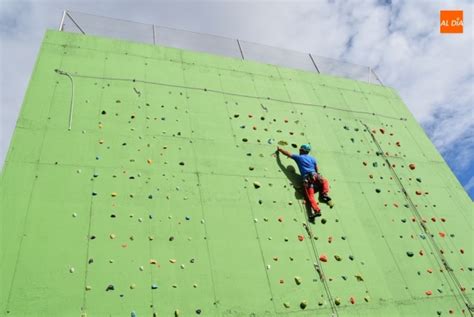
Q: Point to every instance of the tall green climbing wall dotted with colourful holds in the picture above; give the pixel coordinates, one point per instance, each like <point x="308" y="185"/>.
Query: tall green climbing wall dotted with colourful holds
<point x="165" y="198"/>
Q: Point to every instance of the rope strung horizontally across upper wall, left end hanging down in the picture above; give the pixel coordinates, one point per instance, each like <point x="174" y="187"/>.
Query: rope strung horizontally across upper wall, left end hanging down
<point x="70" y="75"/>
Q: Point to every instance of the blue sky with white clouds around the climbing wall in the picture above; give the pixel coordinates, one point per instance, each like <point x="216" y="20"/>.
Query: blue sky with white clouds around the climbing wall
<point x="433" y="72"/>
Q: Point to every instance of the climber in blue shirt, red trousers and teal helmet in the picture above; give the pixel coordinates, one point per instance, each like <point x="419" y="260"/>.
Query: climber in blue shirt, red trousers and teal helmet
<point x="312" y="180"/>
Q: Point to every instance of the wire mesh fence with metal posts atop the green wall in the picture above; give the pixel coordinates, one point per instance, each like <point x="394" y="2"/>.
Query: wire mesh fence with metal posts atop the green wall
<point x="157" y="35"/>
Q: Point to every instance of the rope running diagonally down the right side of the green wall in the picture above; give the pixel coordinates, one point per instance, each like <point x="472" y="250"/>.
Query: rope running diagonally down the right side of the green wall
<point x="428" y="234"/>
